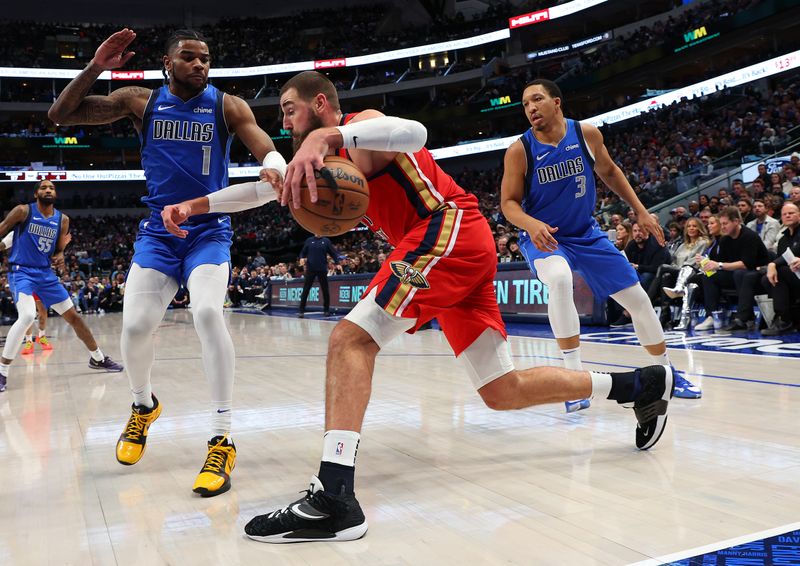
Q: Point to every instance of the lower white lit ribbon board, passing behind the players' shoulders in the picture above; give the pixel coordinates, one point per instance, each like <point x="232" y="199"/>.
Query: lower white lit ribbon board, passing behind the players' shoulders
<point x="755" y="72"/>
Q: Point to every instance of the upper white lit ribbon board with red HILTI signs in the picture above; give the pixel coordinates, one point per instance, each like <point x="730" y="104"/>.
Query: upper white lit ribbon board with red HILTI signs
<point x="552" y="13"/>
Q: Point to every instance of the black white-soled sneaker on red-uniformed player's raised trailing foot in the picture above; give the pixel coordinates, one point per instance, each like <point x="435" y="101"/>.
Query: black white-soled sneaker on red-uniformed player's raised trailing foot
<point x="650" y="406"/>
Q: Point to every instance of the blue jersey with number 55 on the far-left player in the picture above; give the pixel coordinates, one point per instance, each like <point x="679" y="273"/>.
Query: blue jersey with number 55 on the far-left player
<point x="35" y="239"/>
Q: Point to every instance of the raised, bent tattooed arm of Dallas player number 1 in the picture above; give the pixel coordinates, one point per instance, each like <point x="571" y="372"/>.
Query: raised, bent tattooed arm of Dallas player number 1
<point x="73" y="106"/>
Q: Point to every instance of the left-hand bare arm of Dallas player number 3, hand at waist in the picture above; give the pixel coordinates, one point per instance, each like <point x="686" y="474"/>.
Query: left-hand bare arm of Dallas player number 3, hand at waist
<point x="512" y="192"/>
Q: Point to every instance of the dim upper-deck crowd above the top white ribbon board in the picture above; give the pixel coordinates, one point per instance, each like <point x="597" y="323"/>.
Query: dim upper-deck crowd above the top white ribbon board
<point x="240" y="42"/>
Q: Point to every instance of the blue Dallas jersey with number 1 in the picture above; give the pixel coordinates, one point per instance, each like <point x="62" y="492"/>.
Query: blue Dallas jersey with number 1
<point x="185" y="147"/>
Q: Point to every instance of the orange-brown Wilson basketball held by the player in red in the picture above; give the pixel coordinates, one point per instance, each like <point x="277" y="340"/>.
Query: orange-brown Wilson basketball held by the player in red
<point x="342" y="199"/>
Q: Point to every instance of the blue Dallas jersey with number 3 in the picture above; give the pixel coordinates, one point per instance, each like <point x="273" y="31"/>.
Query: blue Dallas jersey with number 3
<point x="559" y="183"/>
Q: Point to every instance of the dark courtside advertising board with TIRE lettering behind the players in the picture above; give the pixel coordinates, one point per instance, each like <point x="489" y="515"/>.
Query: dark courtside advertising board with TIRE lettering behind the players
<point x="518" y="294"/>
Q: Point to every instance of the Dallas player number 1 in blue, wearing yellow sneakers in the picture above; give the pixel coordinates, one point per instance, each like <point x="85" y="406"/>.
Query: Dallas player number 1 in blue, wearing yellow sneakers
<point x="185" y="129"/>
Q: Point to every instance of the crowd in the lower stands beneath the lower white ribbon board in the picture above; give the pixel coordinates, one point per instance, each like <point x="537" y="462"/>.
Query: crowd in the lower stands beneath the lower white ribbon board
<point x="654" y="150"/>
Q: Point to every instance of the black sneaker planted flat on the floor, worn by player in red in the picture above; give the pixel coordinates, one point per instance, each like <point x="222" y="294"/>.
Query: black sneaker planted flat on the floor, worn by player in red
<point x="319" y="516"/>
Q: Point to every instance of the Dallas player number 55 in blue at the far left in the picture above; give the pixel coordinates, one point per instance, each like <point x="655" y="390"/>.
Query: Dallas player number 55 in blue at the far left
<point x="40" y="235"/>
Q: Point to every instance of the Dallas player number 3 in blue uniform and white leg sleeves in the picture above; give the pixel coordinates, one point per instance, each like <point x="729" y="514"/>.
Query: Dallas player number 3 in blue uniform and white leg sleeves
<point x="548" y="191"/>
